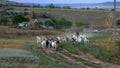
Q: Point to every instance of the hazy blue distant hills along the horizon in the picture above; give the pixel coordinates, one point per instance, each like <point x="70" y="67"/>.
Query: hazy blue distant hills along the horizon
<point x="75" y="5"/>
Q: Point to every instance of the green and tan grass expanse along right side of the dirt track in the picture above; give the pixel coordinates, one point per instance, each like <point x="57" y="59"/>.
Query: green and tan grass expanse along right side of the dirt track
<point x="100" y="46"/>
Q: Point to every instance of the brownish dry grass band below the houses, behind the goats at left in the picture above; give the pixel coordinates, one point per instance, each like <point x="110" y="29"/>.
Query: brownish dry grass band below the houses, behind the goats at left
<point x="7" y="32"/>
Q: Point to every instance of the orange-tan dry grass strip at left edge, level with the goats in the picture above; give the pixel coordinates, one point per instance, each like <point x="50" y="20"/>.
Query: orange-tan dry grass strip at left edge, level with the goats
<point x="14" y="43"/>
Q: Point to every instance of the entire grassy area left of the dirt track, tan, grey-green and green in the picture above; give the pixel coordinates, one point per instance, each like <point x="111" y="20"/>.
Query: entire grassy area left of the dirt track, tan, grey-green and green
<point x="25" y="57"/>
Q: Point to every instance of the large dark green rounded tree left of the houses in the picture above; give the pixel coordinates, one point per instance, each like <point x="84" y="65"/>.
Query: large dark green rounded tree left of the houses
<point x="18" y="19"/>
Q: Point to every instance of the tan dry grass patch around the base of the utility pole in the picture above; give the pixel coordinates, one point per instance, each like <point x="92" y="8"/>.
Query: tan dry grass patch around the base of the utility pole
<point x="107" y="43"/>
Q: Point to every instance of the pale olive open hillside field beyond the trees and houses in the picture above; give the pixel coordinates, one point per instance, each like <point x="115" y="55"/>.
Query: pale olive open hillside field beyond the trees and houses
<point x="87" y="16"/>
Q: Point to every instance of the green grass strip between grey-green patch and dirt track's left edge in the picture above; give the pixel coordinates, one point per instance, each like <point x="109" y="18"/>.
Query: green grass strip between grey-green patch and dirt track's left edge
<point x="47" y="62"/>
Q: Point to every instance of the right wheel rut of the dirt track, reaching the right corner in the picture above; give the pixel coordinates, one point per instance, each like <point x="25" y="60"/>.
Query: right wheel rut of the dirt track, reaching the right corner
<point x="92" y="59"/>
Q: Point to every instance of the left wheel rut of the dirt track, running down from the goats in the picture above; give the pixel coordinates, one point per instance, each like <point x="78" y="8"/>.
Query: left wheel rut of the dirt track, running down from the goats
<point x="68" y="59"/>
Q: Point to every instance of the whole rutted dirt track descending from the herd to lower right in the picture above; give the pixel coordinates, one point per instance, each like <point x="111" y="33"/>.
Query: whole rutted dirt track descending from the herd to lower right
<point x="85" y="60"/>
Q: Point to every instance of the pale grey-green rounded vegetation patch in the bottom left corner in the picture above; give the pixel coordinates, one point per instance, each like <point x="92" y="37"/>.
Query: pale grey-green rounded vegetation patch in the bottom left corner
<point x="17" y="58"/>
